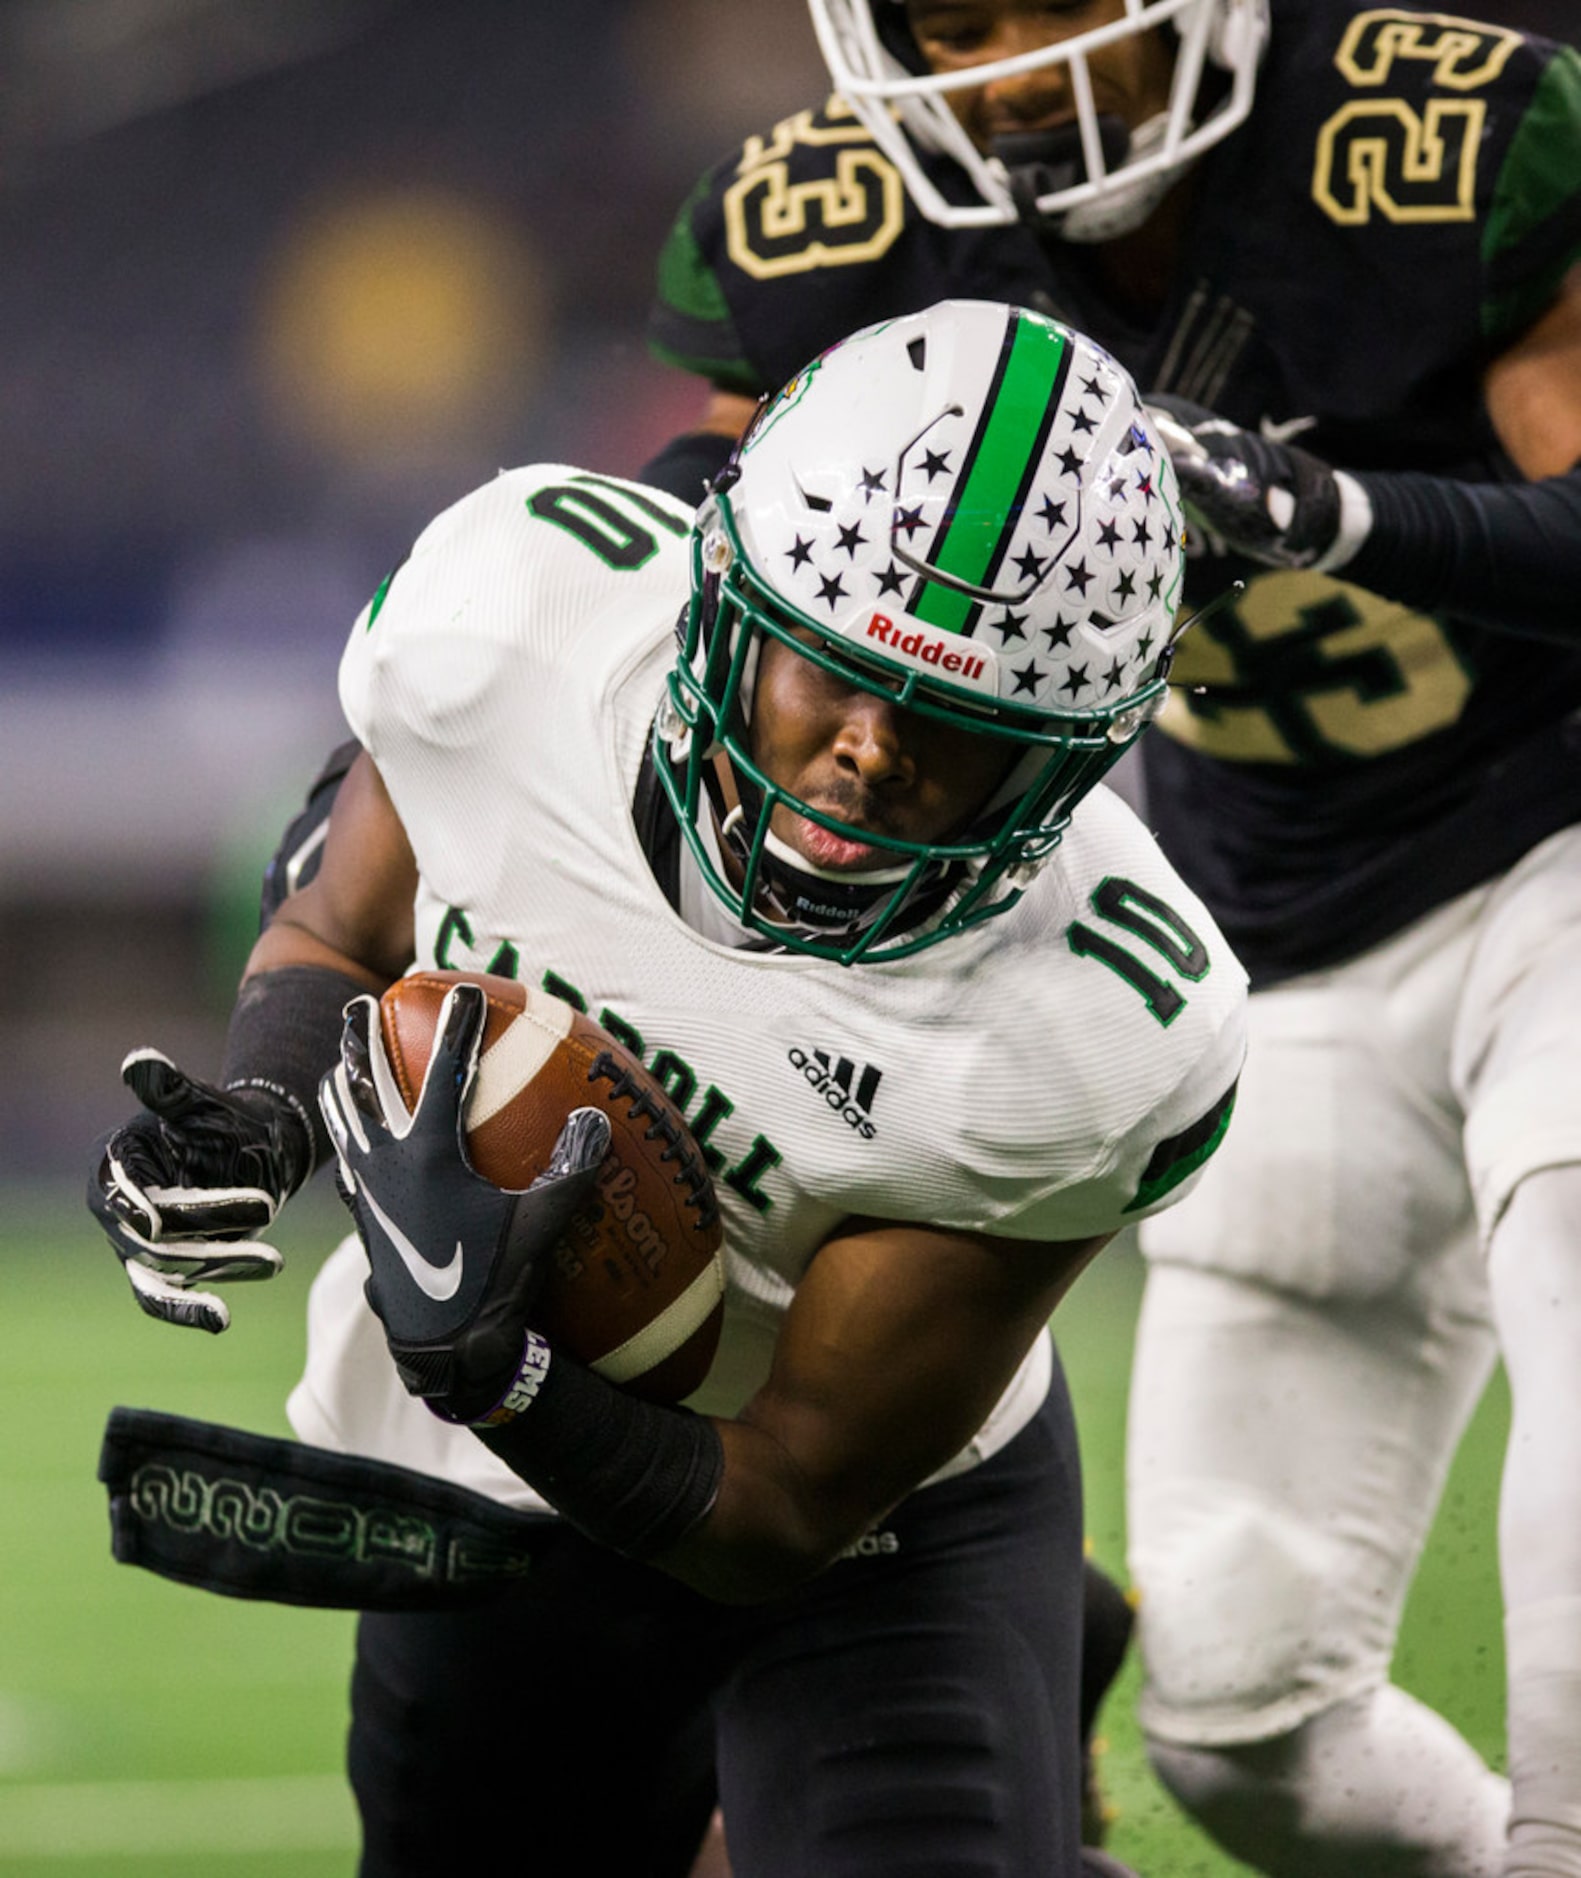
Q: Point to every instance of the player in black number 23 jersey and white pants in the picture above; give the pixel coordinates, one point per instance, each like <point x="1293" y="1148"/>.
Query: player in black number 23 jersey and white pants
<point x="1370" y="769"/>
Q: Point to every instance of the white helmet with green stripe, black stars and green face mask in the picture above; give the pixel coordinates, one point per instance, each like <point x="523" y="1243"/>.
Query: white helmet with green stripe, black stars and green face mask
<point x="974" y="516"/>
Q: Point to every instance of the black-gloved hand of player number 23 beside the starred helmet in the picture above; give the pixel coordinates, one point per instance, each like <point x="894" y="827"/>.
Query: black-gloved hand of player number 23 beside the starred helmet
<point x="1261" y="497"/>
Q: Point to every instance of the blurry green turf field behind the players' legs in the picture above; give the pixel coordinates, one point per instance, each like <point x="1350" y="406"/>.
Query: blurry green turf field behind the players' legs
<point x="153" y="1732"/>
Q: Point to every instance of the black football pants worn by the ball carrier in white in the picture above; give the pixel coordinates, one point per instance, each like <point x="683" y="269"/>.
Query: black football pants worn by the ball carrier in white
<point x="913" y="1712"/>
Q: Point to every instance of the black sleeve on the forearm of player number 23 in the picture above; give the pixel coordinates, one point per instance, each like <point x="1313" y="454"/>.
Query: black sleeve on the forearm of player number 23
<point x="1507" y="555"/>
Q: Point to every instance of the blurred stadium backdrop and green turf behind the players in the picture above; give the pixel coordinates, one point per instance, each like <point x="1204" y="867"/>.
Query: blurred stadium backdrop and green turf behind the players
<point x="283" y="279"/>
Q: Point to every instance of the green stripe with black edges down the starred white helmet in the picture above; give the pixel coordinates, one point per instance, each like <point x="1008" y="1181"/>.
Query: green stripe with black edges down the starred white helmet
<point x="998" y="472"/>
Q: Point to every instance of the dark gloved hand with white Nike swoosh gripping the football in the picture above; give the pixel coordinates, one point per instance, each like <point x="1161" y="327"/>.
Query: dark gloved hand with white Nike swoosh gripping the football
<point x="455" y="1261"/>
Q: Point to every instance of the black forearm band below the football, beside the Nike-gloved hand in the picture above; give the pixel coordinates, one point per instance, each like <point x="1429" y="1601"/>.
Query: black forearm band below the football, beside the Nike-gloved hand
<point x="632" y="1475"/>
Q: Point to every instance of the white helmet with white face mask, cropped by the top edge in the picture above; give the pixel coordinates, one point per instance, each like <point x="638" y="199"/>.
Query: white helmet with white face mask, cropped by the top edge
<point x="1097" y="181"/>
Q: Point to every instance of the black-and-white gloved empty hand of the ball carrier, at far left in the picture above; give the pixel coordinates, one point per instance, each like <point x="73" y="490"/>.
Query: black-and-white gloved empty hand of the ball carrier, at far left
<point x="183" y="1188"/>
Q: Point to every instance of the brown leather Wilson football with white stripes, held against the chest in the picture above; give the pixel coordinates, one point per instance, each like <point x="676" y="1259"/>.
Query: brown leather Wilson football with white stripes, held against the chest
<point x="637" y="1285"/>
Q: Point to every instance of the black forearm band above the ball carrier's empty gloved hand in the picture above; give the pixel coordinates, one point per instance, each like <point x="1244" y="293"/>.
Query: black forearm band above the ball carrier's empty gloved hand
<point x="284" y="1038"/>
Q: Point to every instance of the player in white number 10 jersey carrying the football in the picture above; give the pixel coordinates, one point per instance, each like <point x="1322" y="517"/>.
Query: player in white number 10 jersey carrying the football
<point x="852" y="820"/>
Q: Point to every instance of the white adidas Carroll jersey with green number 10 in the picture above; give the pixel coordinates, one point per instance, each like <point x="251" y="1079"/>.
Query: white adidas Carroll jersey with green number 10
<point x="1051" y="1075"/>
